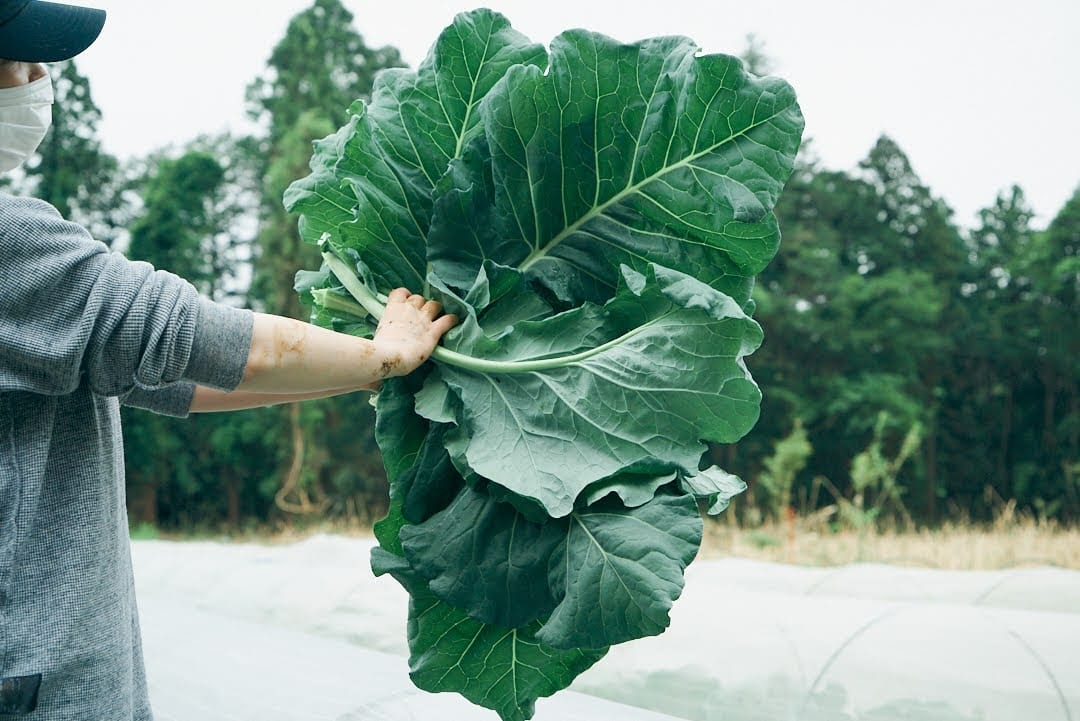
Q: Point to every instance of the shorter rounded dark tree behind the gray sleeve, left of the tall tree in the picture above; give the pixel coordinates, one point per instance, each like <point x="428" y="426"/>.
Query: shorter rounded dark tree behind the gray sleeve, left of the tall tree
<point x="208" y="469"/>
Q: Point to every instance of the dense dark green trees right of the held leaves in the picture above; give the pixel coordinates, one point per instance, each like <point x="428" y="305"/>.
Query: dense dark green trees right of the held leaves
<point x="879" y="304"/>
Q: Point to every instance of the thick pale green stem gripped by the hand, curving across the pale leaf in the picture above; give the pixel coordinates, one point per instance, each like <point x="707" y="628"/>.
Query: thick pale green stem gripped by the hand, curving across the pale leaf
<point x="375" y="308"/>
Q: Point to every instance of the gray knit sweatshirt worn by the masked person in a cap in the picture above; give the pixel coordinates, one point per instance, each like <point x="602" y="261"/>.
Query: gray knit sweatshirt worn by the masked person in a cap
<point x="83" y="331"/>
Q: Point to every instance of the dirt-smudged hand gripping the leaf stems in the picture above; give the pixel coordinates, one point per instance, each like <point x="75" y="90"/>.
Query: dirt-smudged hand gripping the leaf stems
<point x="410" y="331"/>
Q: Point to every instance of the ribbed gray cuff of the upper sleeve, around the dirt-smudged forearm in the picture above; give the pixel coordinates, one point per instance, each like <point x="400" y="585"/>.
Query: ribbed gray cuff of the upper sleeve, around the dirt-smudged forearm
<point x="221" y="347"/>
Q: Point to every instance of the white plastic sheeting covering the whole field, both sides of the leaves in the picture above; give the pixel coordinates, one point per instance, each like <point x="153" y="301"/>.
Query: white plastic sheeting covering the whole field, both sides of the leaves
<point x="307" y="630"/>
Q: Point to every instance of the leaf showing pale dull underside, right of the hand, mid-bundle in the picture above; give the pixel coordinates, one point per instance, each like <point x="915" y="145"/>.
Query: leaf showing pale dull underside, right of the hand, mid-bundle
<point x="633" y="387"/>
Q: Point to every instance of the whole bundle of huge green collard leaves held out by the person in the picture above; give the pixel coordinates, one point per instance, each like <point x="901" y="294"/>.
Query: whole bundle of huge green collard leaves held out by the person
<point x="596" y="215"/>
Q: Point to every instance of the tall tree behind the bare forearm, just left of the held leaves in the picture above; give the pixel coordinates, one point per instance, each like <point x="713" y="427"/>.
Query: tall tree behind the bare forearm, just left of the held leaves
<point x="319" y="69"/>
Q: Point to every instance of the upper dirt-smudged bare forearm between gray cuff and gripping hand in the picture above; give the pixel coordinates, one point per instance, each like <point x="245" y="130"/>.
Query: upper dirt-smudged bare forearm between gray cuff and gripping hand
<point x="291" y="358"/>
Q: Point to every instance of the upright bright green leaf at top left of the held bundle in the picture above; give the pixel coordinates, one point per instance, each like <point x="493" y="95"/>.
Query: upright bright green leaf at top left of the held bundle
<point x="372" y="183"/>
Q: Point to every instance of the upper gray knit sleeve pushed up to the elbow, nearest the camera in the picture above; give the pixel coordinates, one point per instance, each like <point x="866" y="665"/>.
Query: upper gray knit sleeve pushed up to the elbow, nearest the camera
<point x="72" y="312"/>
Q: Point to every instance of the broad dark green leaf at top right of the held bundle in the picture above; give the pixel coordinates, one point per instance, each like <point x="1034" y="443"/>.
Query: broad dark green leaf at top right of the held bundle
<point x="625" y="155"/>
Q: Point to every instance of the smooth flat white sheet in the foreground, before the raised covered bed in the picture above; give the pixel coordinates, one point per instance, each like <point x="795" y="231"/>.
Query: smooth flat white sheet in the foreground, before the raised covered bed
<point x="205" y="666"/>
